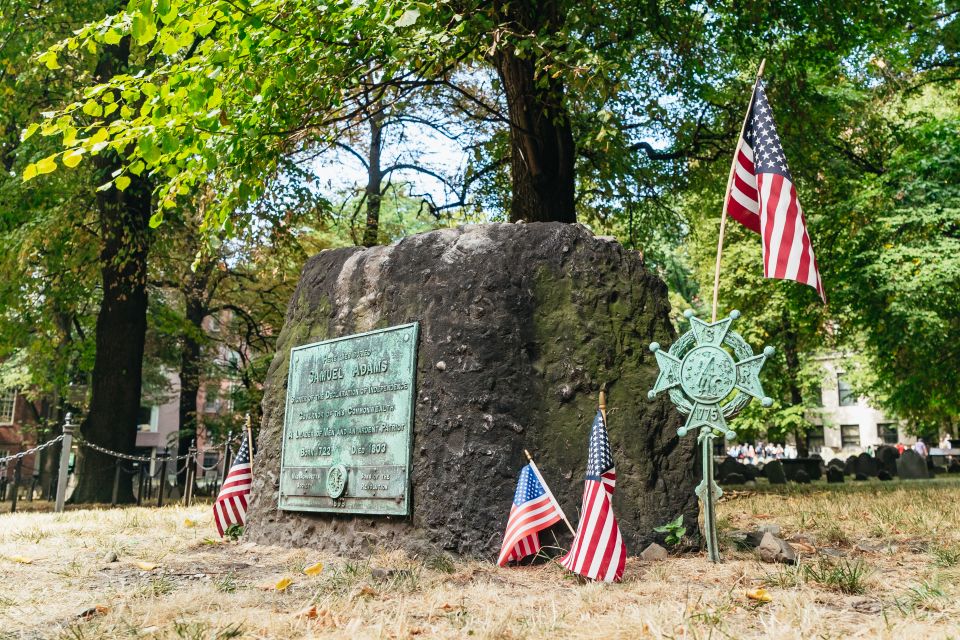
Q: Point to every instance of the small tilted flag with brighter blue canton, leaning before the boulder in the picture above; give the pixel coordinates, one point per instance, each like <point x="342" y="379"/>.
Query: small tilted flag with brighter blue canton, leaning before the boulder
<point x="534" y="509"/>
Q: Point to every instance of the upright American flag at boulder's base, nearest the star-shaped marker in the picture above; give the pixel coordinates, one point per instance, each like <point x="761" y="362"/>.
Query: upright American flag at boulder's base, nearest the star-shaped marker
<point x="598" y="552"/>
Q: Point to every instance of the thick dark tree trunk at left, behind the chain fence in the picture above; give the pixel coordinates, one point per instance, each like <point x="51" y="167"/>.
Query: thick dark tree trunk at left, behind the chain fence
<point x="121" y="323"/>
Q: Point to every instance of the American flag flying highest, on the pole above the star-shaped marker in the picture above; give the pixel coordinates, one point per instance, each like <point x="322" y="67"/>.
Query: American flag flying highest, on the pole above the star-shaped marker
<point x="763" y="198"/>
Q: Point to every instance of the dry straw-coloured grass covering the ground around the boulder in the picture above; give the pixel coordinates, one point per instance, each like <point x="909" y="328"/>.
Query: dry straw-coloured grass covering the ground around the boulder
<point x="899" y="541"/>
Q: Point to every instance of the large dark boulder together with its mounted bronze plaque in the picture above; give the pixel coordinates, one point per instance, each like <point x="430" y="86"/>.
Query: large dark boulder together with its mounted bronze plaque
<point x="519" y="326"/>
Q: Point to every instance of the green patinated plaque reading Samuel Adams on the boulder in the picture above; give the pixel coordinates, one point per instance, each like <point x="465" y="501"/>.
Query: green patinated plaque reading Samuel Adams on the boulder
<point x="348" y="425"/>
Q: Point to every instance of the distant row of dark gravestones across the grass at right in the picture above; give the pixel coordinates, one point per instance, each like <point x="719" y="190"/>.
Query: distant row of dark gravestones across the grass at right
<point x="887" y="463"/>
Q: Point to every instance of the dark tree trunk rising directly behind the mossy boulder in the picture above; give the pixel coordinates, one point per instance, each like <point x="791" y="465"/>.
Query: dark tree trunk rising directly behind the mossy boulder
<point x="542" y="150"/>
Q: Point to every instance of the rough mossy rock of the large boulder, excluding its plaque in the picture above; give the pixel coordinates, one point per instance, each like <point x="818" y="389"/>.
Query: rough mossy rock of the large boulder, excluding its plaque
<point x="520" y="324"/>
